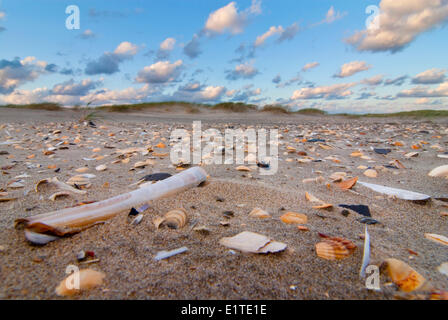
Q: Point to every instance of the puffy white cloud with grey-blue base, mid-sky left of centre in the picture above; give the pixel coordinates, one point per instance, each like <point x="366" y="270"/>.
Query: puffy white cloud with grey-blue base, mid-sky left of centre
<point x="160" y="72"/>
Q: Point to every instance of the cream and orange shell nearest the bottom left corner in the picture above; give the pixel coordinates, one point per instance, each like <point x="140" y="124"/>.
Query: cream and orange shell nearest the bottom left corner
<point x="88" y="279"/>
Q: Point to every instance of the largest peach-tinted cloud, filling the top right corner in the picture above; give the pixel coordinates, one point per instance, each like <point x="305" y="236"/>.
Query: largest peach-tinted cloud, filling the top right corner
<point x="400" y="22"/>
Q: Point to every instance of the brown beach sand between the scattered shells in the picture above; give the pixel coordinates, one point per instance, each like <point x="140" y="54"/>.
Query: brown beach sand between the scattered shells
<point x="209" y="270"/>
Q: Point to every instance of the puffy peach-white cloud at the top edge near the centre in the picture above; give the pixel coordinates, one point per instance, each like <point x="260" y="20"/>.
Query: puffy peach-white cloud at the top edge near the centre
<point x="228" y="19"/>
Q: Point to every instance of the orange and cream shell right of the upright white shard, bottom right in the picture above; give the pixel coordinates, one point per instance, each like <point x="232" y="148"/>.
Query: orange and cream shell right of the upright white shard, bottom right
<point x="405" y="277"/>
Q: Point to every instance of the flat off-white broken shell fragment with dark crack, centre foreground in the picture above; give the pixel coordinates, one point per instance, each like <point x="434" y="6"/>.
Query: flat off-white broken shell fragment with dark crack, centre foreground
<point x="252" y="242"/>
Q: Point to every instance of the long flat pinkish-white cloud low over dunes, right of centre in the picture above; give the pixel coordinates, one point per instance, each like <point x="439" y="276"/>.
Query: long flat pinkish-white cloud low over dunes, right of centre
<point x="335" y="91"/>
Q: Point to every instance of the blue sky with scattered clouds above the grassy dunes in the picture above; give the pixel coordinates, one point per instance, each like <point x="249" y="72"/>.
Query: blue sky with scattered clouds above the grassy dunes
<point x="340" y="56"/>
